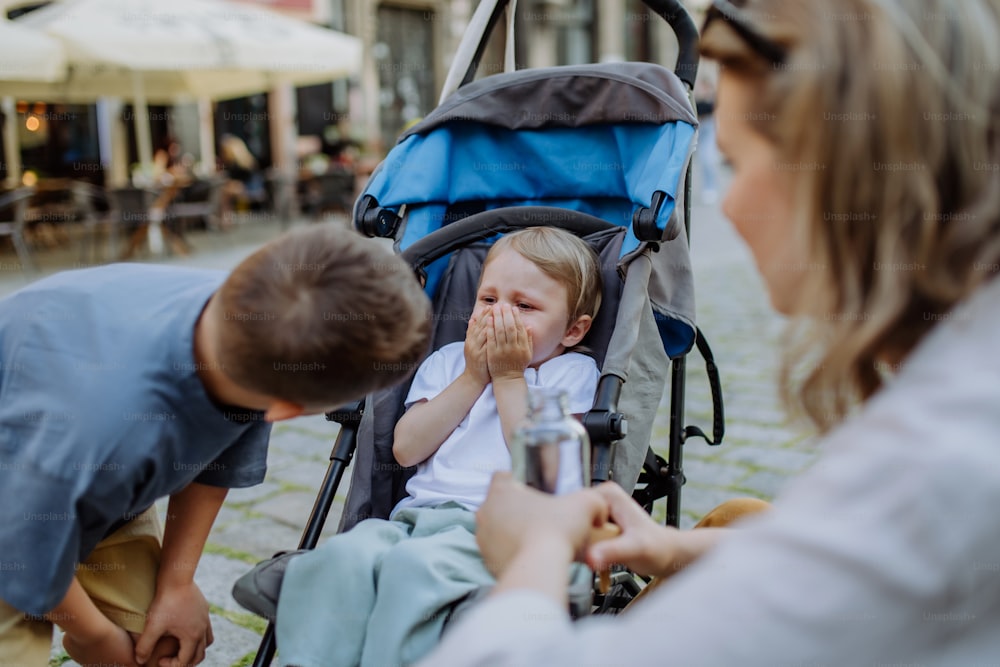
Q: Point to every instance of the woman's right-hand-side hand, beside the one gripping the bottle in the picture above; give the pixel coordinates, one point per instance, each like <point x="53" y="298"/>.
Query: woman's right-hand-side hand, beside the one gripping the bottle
<point x="643" y="546"/>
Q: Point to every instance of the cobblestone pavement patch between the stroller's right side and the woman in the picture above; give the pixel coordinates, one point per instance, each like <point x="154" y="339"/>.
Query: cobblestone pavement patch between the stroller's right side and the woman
<point x="760" y="449"/>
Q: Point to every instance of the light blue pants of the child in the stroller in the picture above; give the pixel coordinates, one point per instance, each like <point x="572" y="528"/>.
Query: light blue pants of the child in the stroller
<point x="378" y="595"/>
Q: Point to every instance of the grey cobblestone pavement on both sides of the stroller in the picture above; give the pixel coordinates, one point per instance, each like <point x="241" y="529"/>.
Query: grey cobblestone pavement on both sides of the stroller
<point x="759" y="453"/>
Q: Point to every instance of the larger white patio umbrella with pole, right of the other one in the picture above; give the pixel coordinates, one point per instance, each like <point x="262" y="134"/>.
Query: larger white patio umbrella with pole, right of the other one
<point x="150" y="50"/>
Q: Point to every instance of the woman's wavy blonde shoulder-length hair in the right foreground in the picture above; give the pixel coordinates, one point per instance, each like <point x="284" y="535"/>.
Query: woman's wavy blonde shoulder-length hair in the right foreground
<point x="891" y="109"/>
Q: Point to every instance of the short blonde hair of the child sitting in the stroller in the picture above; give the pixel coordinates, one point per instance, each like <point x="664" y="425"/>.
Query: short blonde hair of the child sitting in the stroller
<point x="563" y="257"/>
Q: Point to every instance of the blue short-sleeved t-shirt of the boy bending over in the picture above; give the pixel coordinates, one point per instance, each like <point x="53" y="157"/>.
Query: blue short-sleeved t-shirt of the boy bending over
<point x="102" y="413"/>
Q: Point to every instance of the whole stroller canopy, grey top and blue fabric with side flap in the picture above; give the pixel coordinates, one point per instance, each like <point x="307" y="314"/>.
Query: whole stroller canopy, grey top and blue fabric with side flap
<point x="599" y="139"/>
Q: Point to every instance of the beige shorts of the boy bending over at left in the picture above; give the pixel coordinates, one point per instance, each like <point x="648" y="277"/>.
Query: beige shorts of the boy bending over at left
<point x="119" y="576"/>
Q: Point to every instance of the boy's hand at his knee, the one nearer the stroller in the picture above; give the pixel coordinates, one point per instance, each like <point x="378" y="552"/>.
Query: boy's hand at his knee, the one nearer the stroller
<point x="181" y="612"/>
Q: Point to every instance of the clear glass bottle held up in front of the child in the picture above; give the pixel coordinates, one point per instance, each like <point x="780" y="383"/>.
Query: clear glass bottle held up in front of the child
<point x="551" y="450"/>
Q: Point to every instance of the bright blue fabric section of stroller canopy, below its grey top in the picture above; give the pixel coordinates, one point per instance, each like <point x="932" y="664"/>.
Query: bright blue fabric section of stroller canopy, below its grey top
<point x="605" y="170"/>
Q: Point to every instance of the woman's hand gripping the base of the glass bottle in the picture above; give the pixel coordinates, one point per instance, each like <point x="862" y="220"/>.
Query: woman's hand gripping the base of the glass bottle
<point x="515" y="517"/>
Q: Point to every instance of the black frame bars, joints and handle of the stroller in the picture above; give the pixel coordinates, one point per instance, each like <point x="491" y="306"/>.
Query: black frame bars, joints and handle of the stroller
<point x="660" y="478"/>
